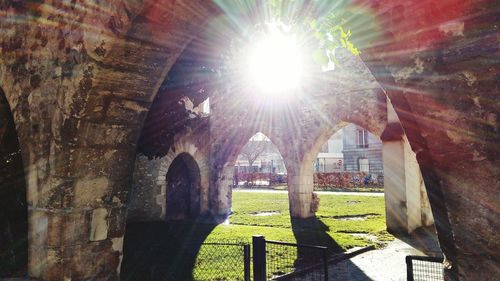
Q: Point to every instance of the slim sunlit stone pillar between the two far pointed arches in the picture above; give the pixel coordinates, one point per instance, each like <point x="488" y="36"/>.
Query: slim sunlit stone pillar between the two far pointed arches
<point x="300" y="189"/>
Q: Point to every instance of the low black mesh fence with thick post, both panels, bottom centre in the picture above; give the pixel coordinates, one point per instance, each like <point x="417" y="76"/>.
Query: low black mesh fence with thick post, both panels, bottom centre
<point x="271" y="260"/>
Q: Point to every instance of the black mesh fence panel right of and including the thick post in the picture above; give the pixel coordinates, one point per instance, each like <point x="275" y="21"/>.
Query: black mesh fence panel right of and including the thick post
<point x="275" y="260"/>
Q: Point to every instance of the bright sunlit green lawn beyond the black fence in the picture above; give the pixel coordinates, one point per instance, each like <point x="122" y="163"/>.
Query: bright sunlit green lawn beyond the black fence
<point x="244" y="223"/>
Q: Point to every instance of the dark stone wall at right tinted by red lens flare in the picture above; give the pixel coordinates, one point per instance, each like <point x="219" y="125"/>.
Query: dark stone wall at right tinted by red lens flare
<point x="437" y="62"/>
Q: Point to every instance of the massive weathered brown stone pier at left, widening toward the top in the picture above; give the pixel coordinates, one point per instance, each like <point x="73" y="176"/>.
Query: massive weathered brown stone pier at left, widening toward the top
<point x="79" y="78"/>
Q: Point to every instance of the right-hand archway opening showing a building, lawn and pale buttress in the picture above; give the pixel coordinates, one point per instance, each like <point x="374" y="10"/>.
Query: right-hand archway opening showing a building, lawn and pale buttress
<point x="385" y="177"/>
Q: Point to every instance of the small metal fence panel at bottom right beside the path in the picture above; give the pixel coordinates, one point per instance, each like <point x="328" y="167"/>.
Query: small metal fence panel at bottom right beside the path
<point x="420" y="268"/>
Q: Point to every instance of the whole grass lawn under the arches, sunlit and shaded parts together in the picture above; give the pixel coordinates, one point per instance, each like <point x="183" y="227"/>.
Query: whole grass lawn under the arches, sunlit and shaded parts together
<point x="175" y="251"/>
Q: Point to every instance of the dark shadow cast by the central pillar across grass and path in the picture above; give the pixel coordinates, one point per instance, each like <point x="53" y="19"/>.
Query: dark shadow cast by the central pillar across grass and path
<point x="312" y="231"/>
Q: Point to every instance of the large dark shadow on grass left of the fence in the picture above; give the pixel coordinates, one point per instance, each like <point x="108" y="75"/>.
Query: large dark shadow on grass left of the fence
<point x="163" y="251"/>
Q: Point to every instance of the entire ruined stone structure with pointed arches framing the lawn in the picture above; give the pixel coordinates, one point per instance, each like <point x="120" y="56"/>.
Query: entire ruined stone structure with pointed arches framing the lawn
<point x="87" y="85"/>
